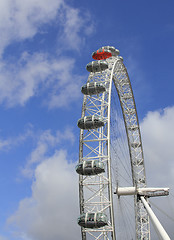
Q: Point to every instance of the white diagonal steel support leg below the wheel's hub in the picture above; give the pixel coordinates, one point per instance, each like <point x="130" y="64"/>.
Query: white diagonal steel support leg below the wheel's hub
<point x="157" y="225"/>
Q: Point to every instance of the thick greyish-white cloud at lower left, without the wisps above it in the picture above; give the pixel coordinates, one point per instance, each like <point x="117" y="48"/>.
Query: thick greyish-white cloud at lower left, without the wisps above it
<point x="52" y="210"/>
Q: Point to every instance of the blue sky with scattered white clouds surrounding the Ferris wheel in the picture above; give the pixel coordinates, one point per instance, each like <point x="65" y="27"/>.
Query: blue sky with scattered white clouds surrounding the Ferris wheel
<point x="44" y="48"/>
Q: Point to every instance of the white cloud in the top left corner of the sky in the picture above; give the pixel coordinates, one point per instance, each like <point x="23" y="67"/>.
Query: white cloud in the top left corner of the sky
<point x="20" y="20"/>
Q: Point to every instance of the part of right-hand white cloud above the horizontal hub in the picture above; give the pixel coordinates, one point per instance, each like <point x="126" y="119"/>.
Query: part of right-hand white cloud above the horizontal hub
<point x="158" y="139"/>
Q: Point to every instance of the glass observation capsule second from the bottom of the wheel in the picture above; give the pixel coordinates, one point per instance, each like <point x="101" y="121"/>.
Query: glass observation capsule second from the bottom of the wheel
<point x="92" y="167"/>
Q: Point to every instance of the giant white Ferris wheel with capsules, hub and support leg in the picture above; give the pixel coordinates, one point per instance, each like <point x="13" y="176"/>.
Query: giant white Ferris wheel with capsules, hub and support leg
<point x="113" y="193"/>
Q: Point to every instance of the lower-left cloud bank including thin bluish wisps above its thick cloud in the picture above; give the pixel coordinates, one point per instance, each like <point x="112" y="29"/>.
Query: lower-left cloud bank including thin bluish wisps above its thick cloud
<point x="51" y="211"/>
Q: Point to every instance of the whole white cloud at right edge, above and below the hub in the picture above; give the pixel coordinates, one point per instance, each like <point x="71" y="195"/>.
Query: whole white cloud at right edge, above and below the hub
<point x="158" y="138"/>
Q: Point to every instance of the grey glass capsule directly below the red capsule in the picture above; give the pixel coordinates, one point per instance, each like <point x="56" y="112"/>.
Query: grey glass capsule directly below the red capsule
<point x="97" y="66"/>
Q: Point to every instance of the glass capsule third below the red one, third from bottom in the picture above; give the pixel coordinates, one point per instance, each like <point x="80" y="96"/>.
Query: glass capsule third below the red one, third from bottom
<point x="90" y="122"/>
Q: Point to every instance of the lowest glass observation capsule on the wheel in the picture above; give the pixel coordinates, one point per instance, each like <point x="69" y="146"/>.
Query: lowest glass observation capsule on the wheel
<point x="92" y="220"/>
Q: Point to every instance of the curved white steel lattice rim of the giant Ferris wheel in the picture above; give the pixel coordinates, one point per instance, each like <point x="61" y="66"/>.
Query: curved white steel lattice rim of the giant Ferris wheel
<point x="96" y="191"/>
